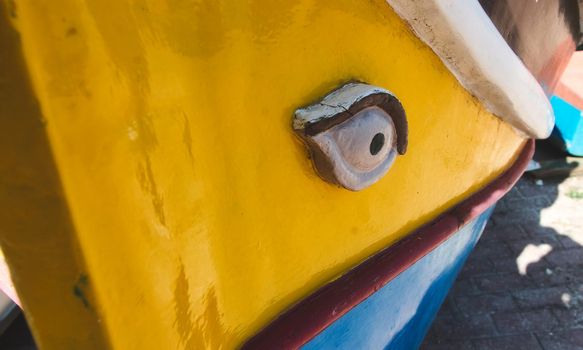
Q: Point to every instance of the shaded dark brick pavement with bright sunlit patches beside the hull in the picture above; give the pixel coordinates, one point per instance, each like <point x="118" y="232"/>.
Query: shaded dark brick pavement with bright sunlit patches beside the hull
<point x="522" y="287"/>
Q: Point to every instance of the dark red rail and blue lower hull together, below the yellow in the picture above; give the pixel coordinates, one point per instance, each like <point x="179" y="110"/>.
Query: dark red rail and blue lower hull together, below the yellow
<point x="415" y="274"/>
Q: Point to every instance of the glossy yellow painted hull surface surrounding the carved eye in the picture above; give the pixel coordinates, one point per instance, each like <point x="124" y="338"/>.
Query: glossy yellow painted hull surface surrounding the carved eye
<point x="195" y="212"/>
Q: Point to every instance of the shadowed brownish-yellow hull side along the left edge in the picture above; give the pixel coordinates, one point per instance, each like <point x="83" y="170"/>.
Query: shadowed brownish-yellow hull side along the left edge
<point x="36" y="233"/>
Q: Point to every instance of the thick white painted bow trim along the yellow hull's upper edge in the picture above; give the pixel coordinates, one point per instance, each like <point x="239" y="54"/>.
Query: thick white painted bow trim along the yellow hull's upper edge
<point x="466" y="40"/>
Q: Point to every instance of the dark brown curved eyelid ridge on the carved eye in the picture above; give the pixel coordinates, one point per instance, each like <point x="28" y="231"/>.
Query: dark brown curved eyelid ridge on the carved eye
<point x="386" y="102"/>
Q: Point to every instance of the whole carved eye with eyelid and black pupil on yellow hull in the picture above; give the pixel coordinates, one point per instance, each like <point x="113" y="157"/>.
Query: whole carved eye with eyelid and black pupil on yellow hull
<point x="354" y="134"/>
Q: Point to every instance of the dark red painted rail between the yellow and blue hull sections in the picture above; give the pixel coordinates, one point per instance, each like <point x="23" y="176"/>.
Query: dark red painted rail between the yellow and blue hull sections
<point x="310" y="316"/>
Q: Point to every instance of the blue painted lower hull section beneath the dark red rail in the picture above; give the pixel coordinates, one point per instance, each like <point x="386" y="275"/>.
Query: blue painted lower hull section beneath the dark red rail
<point x="399" y="314"/>
